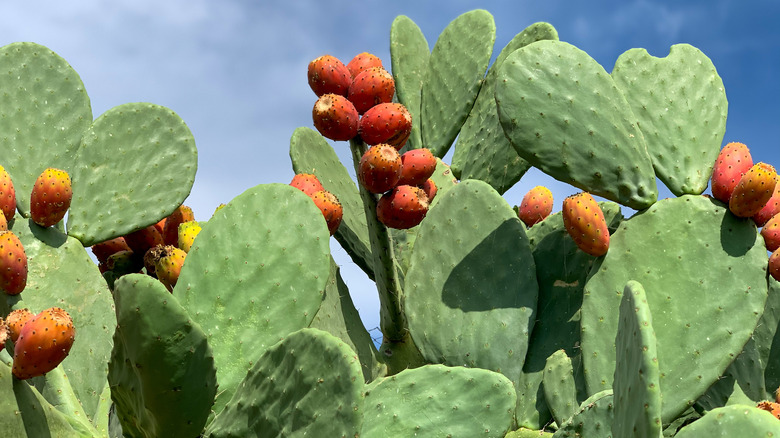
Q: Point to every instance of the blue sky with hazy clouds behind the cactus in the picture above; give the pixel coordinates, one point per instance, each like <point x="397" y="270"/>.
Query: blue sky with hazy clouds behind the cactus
<point x="235" y="71"/>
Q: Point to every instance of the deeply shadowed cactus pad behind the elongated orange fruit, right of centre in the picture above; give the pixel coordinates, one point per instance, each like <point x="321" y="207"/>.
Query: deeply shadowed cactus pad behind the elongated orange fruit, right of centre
<point x="561" y="270"/>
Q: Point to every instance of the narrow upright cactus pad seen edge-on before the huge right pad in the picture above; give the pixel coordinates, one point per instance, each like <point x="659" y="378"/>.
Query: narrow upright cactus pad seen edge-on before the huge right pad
<point x="636" y="387"/>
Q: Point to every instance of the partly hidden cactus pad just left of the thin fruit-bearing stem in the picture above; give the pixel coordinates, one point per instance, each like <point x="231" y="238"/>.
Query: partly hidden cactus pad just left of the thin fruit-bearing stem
<point x="311" y="153"/>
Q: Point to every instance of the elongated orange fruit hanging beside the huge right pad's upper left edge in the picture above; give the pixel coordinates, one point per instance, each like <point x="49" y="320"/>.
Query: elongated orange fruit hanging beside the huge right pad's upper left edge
<point x="585" y="223"/>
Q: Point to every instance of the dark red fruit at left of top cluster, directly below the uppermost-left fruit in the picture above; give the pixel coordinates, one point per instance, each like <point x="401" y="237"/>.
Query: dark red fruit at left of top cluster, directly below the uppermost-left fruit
<point x="335" y="117"/>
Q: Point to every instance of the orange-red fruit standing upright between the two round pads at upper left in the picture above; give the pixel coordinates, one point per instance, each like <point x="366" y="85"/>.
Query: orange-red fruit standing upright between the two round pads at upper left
<point x="51" y="196"/>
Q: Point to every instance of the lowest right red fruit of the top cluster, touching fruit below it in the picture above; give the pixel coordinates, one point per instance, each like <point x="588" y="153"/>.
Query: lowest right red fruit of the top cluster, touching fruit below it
<point x="389" y="123"/>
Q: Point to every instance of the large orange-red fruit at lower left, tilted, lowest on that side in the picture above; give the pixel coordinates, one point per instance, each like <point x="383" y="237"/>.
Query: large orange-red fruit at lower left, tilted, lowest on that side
<point x="44" y="343"/>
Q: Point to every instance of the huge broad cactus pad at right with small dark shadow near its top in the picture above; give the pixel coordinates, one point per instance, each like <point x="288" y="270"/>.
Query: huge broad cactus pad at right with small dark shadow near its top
<point x="702" y="317"/>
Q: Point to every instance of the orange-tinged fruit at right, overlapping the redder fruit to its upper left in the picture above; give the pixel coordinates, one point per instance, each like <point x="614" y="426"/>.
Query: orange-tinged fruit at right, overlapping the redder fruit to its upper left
<point x="753" y="191"/>
